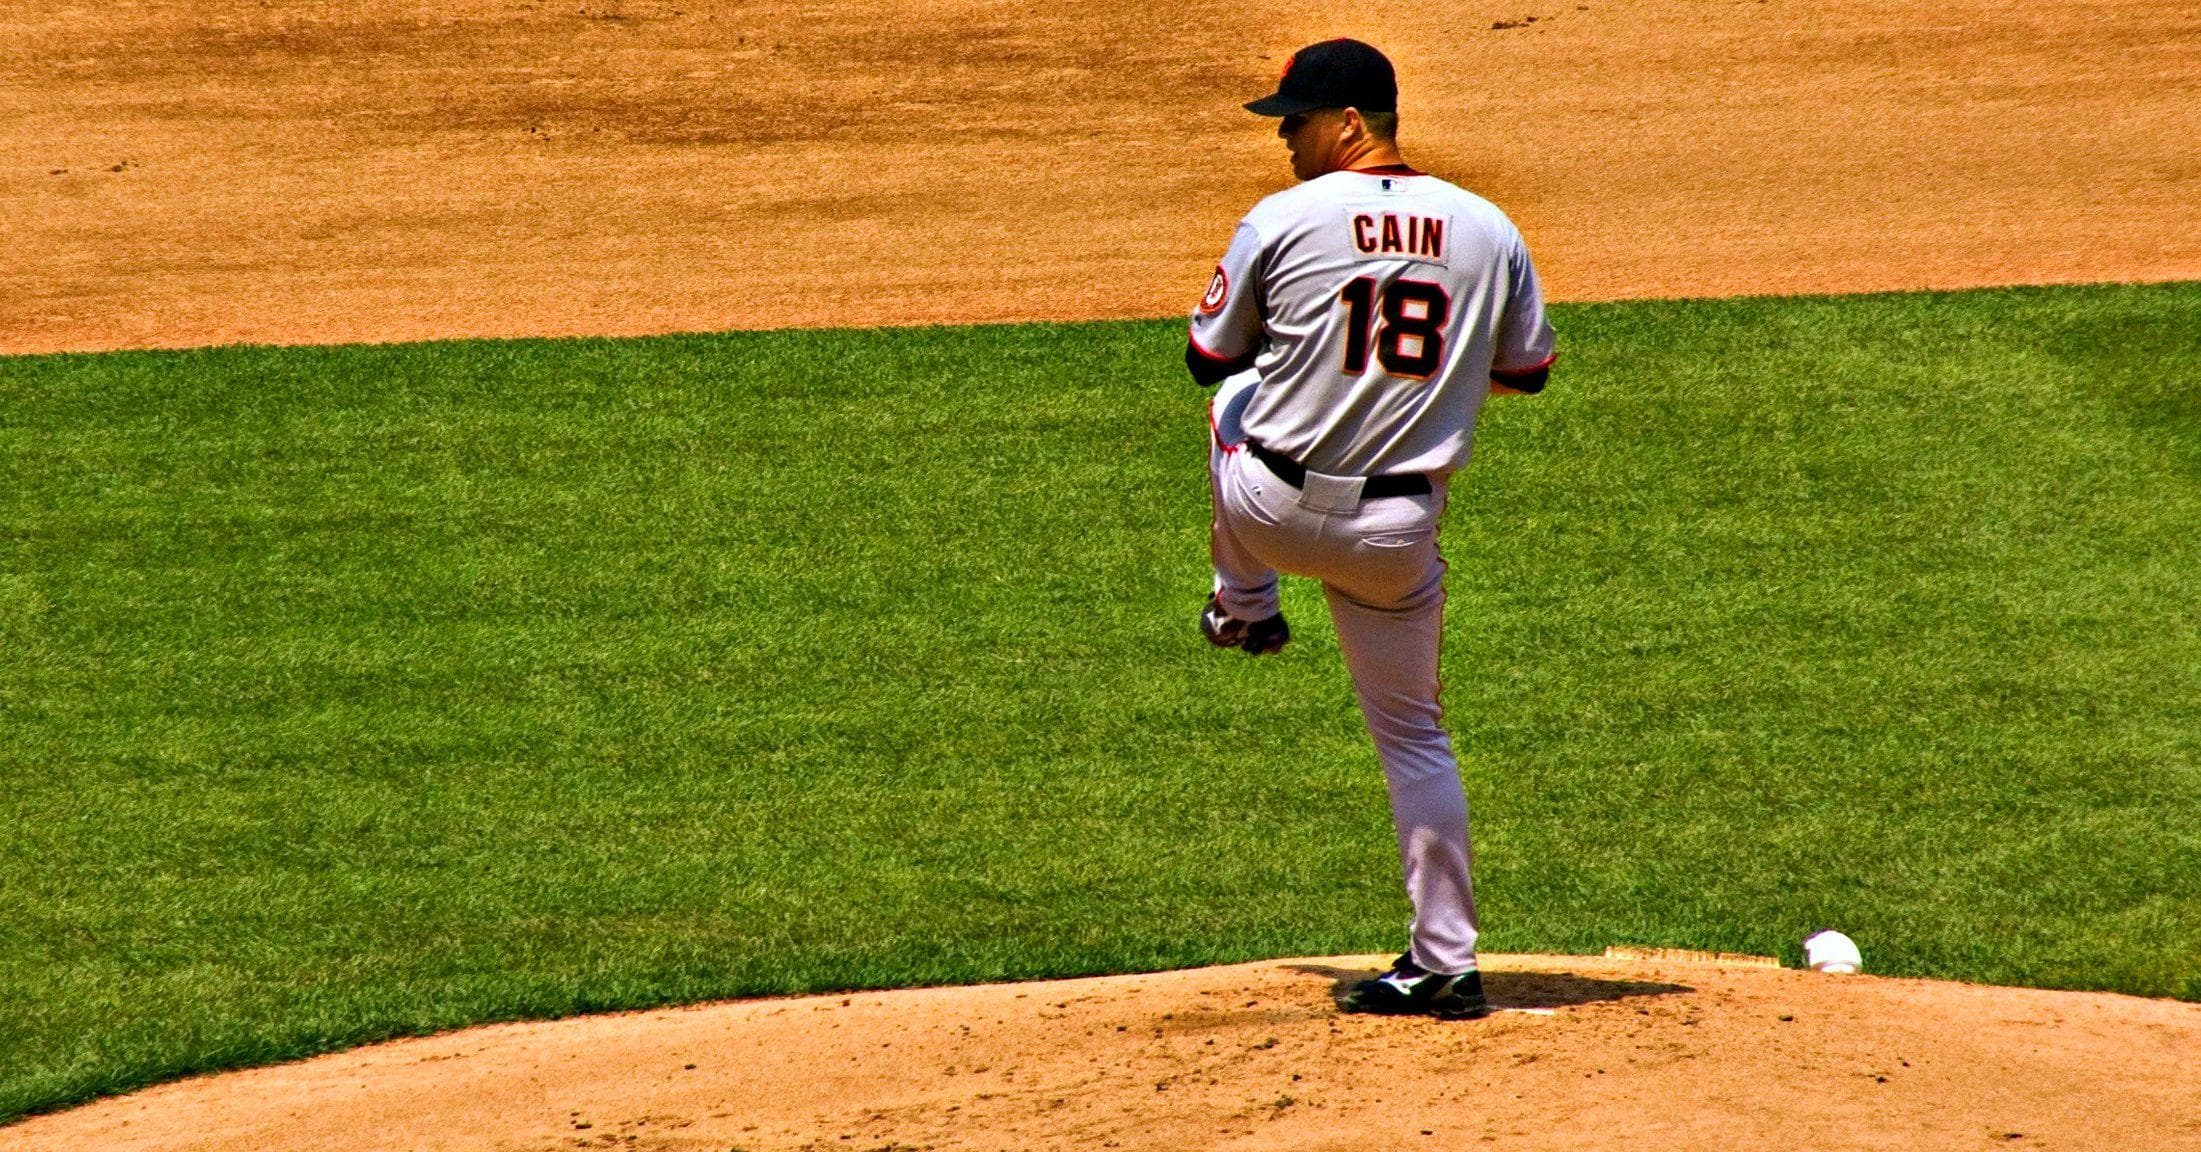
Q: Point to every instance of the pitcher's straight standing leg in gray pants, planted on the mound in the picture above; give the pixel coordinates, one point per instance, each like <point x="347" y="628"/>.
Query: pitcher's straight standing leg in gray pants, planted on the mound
<point x="1390" y="618"/>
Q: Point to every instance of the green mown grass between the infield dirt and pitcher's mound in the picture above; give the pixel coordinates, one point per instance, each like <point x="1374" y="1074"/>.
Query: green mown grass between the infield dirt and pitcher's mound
<point x="351" y="693"/>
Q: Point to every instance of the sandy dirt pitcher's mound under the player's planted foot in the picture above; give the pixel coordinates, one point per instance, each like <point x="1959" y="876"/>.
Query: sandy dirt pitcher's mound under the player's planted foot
<point x="1586" y="1054"/>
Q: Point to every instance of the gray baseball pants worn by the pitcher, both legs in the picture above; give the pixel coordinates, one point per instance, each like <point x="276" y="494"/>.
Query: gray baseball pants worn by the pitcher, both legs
<point x="1386" y="585"/>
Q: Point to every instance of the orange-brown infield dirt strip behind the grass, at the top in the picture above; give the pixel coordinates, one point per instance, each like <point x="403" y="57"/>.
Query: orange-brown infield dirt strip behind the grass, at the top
<point x="309" y="171"/>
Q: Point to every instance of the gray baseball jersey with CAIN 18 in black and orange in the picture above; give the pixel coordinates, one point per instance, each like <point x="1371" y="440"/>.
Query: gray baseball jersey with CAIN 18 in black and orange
<point x="1379" y="305"/>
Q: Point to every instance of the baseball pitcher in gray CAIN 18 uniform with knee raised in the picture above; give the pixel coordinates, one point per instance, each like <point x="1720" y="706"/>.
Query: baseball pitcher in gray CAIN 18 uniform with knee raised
<point x="1355" y="325"/>
